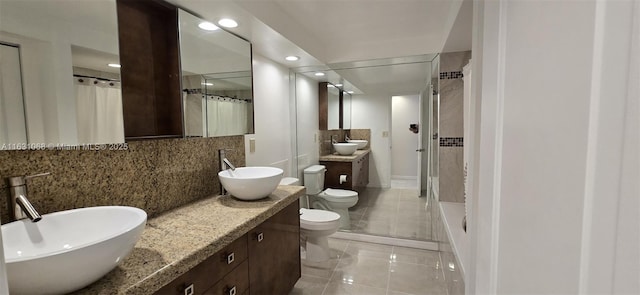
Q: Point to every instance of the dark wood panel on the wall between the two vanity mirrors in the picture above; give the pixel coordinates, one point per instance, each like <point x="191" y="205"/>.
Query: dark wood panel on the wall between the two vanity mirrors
<point x="150" y="59"/>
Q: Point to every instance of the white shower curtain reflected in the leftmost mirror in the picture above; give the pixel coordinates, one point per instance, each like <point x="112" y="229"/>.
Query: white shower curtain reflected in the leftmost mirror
<point x="99" y="111"/>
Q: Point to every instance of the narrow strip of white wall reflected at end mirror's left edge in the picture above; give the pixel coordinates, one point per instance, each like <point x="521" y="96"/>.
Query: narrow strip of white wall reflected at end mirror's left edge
<point x="308" y="147"/>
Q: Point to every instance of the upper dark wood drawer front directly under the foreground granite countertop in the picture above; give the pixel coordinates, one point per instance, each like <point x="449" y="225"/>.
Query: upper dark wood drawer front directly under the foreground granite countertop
<point x="207" y="273"/>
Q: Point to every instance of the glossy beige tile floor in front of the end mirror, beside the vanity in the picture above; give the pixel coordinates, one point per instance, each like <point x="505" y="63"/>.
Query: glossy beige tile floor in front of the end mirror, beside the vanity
<point x="371" y="269"/>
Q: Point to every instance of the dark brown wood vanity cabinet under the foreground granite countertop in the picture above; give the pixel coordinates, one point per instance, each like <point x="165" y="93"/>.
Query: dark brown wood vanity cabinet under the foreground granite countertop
<point x="264" y="261"/>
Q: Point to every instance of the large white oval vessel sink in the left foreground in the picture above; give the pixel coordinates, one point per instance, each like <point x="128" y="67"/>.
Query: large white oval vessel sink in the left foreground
<point x="68" y="250"/>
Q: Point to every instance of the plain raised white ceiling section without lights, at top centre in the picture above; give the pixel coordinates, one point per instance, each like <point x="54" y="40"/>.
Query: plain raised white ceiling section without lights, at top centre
<point x="348" y="30"/>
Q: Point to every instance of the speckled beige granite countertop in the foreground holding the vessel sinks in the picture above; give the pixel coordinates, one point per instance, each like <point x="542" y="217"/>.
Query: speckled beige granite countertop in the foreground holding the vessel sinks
<point x="180" y="239"/>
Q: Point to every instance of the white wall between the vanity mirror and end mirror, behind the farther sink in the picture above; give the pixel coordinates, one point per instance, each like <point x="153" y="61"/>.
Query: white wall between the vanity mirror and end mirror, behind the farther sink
<point x="271" y="116"/>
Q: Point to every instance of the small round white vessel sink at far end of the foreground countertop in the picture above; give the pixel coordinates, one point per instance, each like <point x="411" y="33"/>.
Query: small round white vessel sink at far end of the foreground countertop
<point x="250" y="183"/>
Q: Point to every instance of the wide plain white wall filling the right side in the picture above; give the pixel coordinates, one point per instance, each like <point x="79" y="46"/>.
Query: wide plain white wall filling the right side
<point x="554" y="97"/>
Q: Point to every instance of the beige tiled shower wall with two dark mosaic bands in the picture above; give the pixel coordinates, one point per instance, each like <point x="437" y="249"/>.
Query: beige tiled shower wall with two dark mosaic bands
<point x="451" y="126"/>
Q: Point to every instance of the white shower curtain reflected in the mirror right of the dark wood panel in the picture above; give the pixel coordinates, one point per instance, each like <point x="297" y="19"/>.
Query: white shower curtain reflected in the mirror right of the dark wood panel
<point x="226" y="116"/>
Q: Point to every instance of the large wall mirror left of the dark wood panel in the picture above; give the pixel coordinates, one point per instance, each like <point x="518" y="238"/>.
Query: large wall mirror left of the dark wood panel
<point x="56" y="88"/>
